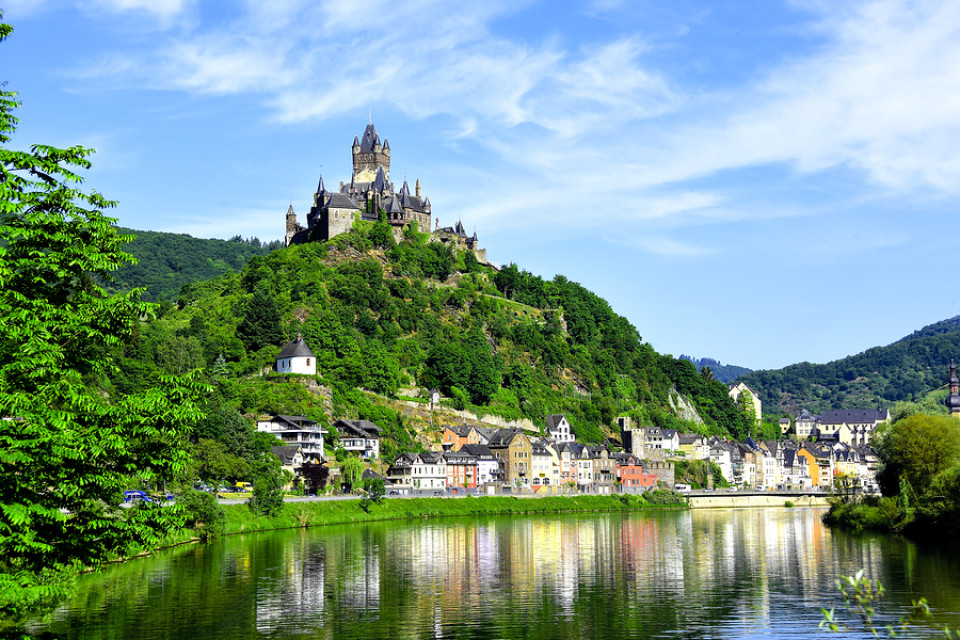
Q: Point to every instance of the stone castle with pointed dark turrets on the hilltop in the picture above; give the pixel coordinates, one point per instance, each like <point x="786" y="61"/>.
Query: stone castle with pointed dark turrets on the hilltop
<point x="370" y="191"/>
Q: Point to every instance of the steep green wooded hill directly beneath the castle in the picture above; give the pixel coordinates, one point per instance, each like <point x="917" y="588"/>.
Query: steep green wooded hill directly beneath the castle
<point x="381" y="315"/>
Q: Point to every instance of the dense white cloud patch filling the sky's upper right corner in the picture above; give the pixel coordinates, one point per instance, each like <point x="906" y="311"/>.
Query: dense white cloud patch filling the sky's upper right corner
<point x="881" y="97"/>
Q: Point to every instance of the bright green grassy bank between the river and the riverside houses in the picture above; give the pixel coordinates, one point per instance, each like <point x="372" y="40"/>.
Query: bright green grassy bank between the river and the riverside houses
<point x="241" y="519"/>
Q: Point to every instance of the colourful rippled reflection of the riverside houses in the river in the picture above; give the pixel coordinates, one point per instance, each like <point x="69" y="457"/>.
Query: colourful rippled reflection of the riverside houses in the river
<point x="424" y="576"/>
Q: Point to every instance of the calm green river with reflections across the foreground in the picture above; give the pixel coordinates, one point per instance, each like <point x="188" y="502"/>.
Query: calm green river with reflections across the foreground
<point x="701" y="574"/>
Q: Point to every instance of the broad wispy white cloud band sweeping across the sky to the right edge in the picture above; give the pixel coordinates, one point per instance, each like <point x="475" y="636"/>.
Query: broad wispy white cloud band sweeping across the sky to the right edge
<point x="577" y="120"/>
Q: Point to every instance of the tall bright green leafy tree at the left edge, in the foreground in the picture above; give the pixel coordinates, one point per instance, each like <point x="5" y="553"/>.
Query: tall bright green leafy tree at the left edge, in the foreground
<point x="77" y="449"/>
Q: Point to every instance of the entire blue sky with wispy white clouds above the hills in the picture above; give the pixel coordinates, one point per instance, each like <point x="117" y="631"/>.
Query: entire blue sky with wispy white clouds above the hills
<point x="758" y="182"/>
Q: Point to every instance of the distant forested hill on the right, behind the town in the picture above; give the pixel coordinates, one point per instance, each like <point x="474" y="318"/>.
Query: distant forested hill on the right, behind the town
<point x="908" y="369"/>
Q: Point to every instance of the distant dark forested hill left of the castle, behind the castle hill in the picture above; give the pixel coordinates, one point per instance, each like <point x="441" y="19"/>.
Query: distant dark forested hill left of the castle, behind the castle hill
<point x="167" y="261"/>
